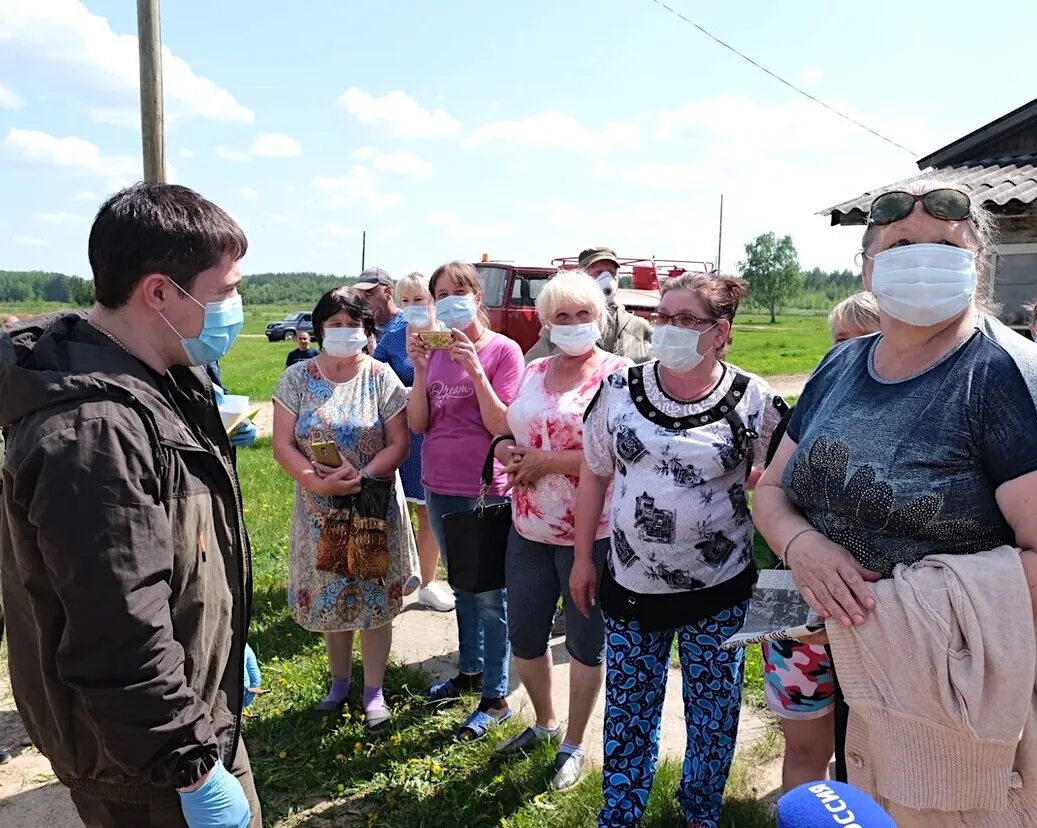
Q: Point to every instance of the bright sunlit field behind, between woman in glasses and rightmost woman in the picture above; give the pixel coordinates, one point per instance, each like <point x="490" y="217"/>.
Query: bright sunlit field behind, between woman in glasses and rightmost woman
<point x="793" y="345"/>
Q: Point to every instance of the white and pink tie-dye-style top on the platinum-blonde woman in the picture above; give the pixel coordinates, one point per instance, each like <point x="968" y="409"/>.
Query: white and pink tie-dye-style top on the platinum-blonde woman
<point x="552" y="422"/>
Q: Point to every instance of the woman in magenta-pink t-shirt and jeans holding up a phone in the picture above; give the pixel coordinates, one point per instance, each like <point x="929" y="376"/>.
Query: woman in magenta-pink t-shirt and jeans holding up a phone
<point x="459" y="401"/>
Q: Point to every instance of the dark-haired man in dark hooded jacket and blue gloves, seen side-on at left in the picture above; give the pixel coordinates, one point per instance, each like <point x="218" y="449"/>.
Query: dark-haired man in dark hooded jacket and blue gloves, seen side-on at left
<point x="126" y="566"/>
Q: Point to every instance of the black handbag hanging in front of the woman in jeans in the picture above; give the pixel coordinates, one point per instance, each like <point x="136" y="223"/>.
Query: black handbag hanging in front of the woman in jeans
<point x="478" y="540"/>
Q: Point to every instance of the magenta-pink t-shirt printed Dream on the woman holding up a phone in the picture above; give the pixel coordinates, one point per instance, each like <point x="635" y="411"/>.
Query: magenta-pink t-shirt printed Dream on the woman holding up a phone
<point x="457" y="443"/>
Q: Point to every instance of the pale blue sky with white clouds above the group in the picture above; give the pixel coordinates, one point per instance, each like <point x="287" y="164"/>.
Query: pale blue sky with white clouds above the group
<point x="525" y="131"/>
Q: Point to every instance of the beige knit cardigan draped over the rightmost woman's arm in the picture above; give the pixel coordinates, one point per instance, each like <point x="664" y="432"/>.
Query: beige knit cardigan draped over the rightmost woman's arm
<point x="942" y="687"/>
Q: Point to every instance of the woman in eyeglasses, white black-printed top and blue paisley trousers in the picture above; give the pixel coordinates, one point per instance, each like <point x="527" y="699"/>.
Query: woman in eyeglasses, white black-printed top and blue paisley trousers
<point x="680" y="436"/>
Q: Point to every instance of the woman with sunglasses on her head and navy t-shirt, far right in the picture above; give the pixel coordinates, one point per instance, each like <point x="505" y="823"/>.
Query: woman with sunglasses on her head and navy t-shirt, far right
<point x="909" y="445"/>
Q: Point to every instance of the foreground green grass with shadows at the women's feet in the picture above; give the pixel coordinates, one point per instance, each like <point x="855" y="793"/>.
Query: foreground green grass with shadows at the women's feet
<point x="412" y="776"/>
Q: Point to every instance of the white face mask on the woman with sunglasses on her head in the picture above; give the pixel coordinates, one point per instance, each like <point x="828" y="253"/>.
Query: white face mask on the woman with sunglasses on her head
<point x="924" y="285"/>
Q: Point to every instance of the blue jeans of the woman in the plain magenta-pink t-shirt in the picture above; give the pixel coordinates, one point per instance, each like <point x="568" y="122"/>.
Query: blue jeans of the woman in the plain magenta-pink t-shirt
<point x="483" y="618"/>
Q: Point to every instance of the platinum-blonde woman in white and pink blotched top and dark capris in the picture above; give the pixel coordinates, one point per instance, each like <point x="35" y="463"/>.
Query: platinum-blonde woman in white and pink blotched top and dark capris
<point x="543" y="463"/>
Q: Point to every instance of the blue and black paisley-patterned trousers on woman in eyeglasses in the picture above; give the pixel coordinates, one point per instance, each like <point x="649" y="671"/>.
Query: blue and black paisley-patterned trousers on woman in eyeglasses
<point x="637" y="665"/>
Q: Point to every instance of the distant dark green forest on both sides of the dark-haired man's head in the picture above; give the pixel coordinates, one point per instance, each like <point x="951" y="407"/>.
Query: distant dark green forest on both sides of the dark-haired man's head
<point x="261" y="289"/>
